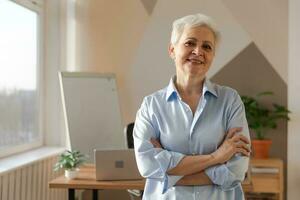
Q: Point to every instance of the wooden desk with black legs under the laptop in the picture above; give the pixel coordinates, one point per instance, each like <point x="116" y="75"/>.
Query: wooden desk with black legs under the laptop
<point x="86" y="180"/>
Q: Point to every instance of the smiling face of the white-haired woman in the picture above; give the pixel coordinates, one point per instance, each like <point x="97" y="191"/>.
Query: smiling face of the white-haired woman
<point x="194" y="52"/>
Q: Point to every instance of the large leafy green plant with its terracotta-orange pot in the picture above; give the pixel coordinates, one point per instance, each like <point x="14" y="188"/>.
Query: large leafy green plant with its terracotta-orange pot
<point x="260" y="119"/>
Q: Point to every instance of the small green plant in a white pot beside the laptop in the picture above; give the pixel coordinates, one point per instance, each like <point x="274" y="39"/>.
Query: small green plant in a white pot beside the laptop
<point x="70" y="161"/>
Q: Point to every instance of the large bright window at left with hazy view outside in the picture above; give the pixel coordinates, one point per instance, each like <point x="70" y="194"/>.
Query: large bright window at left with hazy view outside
<point x="20" y="69"/>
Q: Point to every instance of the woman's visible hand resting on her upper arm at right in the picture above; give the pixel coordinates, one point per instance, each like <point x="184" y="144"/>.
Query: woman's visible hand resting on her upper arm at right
<point x="233" y="143"/>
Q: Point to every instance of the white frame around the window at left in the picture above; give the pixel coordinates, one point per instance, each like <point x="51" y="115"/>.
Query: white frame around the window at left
<point x="37" y="7"/>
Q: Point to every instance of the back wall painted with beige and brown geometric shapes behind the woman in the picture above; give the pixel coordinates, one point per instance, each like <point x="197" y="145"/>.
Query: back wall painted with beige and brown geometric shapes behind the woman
<point x="251" y="58"/>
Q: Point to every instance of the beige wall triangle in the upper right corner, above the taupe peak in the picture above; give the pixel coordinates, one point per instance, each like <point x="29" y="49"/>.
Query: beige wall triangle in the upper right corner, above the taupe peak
<point x="267" y="24"/>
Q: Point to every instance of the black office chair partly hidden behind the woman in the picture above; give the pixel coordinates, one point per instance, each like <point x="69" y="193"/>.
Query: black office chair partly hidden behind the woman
<point x="128" y="131"/>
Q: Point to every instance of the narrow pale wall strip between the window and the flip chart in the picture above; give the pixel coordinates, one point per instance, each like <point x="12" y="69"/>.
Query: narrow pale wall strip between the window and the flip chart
<point x="54" y="61"/>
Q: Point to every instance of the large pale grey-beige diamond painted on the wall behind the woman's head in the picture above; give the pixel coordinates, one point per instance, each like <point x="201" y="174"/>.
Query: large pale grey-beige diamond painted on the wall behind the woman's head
<point x="152" y="64"/>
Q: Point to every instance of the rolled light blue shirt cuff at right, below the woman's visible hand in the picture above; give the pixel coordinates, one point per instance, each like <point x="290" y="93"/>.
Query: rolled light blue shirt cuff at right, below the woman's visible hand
<point x="221" y="176"/>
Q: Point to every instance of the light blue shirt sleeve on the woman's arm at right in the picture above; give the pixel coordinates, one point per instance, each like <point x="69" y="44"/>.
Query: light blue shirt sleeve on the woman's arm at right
<point x="232" y="173"/>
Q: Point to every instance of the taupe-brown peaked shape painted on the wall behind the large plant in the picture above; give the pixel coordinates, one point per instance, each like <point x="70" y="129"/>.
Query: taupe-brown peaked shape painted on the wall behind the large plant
<point x="251" y="73"/>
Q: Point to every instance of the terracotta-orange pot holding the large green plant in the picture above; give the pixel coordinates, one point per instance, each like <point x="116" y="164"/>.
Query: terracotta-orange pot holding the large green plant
<point x="261" y="148"/>
